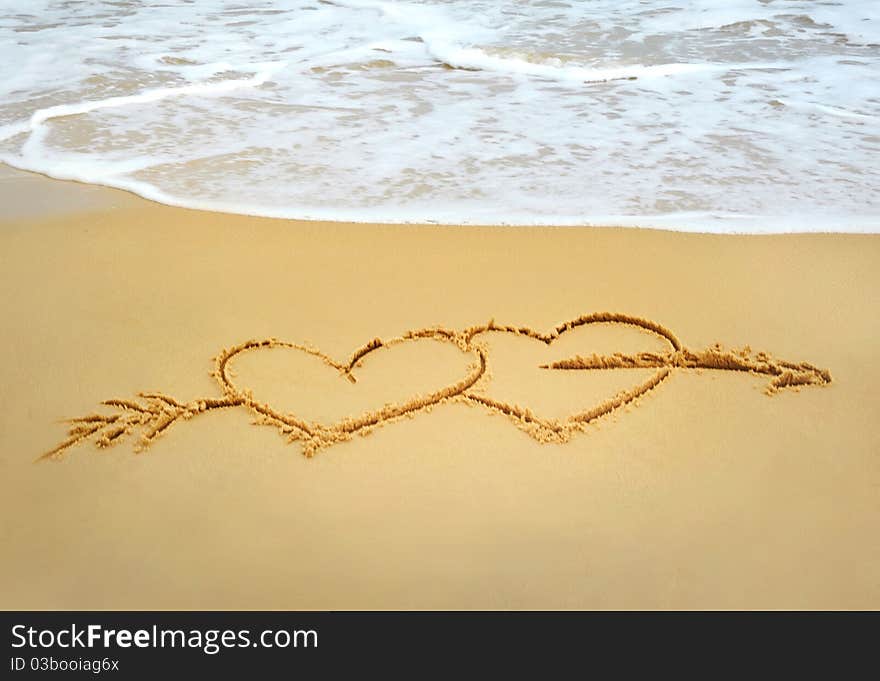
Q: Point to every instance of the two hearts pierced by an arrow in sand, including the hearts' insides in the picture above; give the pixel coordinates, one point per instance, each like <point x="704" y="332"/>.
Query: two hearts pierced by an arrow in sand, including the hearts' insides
<point x="317" y="410"/>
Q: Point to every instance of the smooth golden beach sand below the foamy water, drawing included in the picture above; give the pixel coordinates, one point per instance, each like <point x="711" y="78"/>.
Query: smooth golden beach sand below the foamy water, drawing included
<point x="703" y="492"/>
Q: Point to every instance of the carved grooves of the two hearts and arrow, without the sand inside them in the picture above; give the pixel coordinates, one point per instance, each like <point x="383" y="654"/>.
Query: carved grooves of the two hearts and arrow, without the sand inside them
<point x="154" y="413"/>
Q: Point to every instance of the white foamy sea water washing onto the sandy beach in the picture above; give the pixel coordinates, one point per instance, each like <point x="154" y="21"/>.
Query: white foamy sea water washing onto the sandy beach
<point x="712" y="115"/>
